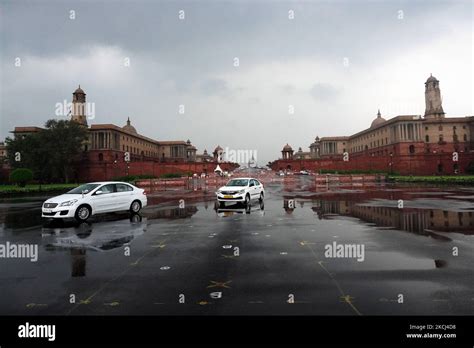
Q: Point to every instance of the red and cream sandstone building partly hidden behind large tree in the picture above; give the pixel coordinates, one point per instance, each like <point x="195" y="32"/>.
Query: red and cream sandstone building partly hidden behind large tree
<point x="112" y="151"/>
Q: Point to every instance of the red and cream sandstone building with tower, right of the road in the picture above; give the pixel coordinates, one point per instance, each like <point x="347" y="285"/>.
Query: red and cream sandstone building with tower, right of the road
<point x="407" y="144"/>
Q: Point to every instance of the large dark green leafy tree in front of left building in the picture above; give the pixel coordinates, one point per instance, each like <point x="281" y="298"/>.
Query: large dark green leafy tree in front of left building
<point x="52" y="152"/>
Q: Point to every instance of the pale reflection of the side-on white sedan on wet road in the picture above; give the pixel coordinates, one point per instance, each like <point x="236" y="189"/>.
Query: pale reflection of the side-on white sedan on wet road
<point x="98" y="239"/>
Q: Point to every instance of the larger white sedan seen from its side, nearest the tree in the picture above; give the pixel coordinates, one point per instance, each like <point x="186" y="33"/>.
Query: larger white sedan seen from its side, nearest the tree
<point x="95" y="198"/>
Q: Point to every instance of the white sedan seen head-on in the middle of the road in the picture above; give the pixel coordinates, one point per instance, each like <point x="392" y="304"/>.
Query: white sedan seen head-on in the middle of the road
<point x="240" y="190"/>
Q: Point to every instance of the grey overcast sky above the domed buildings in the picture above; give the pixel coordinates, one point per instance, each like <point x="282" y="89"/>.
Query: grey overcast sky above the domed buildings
<point x="335" y="63"/>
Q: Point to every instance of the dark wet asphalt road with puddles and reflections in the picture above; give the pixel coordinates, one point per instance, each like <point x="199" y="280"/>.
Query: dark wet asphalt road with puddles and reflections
<point x="189" y="255"/>
